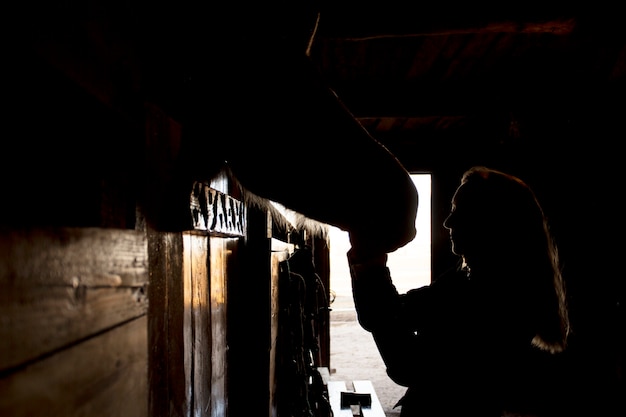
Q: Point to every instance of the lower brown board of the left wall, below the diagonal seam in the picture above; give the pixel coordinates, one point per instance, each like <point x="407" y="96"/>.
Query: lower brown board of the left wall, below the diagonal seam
<point x="105" y="376"/>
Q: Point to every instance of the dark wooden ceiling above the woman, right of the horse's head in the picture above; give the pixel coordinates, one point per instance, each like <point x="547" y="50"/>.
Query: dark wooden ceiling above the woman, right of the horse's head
<point x="430" y="76"/>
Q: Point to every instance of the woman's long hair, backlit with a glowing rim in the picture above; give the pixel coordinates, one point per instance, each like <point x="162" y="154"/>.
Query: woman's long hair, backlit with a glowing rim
<point x="512" y="210"/>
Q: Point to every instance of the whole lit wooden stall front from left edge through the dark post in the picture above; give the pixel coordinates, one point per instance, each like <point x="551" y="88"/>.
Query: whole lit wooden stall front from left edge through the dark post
<point x="110" y="322"/>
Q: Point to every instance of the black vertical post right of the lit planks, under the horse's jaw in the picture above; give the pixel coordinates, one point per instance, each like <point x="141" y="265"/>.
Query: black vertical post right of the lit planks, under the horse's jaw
<point x="249" y="319"/>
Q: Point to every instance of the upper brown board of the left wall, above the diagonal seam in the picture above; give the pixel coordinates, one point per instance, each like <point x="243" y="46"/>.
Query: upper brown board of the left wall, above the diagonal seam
<point x="60" y="286"/>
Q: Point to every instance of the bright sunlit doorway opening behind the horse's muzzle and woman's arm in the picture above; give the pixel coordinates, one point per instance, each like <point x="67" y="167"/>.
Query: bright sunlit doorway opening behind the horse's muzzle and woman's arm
<point x="353" y="354"/>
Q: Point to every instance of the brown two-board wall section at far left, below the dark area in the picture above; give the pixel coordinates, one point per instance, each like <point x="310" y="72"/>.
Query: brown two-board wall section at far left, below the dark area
<point x="74" y="322"/>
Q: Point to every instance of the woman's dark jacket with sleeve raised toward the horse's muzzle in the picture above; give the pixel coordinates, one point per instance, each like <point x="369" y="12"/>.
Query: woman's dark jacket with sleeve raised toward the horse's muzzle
<point x="458" y="348"/>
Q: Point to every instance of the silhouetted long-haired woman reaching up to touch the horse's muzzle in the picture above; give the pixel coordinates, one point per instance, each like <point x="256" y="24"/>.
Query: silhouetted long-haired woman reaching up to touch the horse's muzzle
<point x="471" y="342"/>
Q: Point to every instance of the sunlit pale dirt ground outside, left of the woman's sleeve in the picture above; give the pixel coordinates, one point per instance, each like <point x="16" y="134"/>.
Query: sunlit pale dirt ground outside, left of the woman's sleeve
<point x="353" y="355"/>
